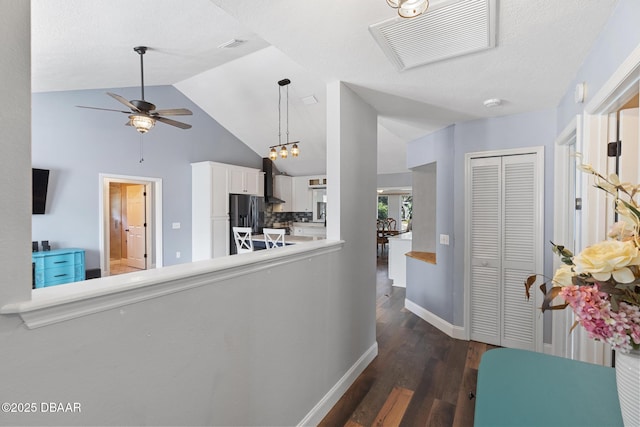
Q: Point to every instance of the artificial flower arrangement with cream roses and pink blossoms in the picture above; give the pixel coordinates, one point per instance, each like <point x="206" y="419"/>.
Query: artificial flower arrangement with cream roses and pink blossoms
<point x="602" y="283"/>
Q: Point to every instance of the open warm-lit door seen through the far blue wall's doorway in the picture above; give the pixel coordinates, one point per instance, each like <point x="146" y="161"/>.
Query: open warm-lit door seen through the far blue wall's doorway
<point x="136" y="229"/>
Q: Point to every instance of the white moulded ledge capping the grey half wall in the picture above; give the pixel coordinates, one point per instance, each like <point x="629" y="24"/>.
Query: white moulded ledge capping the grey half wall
<point x="59" y="303"/>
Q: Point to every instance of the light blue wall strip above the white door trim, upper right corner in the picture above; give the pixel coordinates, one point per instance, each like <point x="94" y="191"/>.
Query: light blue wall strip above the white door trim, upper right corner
<point x="619" y="38"/>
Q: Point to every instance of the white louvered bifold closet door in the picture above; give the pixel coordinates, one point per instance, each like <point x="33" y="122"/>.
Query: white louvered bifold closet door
<point x="504" y="245"/>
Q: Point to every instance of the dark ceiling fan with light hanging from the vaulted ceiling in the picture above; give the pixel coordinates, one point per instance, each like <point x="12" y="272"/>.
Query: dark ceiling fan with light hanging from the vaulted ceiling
<point x="143" y="114"/>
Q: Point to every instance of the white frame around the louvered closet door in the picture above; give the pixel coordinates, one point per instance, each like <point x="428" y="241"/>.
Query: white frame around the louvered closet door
<point x="537" y="301"/>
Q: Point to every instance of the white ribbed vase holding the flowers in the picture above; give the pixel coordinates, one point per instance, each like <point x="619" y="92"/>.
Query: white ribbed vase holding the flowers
<point x="628" y="381"/>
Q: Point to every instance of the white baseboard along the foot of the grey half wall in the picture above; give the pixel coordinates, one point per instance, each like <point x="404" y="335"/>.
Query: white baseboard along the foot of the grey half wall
<point x="325" y="404"/>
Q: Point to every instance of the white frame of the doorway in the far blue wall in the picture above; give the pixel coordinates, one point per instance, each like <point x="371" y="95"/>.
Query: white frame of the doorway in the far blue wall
<point x="153" y="187"/>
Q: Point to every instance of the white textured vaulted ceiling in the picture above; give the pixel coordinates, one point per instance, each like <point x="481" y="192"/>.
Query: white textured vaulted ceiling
<point x="82" y="44"/>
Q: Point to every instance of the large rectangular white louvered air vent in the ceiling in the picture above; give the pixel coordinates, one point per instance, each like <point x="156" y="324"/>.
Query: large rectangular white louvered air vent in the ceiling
<point x="444" y="31"/>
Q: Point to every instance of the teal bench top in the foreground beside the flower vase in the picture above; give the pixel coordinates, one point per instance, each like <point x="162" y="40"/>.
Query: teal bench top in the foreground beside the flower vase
<point x="524" y="388"/>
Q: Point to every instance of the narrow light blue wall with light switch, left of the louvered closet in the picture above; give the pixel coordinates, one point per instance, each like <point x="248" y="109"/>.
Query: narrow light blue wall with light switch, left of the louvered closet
<point x="429" y="285"/>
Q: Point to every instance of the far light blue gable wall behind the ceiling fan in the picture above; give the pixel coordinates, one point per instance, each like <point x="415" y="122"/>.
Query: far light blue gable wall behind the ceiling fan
<point x="78" y="144"/>
